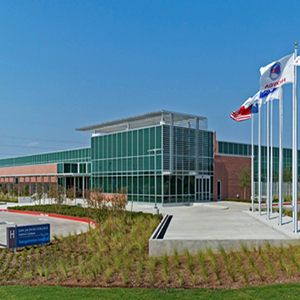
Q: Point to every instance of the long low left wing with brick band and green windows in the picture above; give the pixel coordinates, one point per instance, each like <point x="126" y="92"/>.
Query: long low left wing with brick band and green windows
<point x="67" y="168"/>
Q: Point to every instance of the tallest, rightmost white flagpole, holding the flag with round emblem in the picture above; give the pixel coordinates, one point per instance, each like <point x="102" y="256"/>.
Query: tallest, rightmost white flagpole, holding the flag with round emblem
<point x="295" y="147"/>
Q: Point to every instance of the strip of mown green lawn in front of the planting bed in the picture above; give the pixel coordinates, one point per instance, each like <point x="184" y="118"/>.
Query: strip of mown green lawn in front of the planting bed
<point x="280" y="291"/>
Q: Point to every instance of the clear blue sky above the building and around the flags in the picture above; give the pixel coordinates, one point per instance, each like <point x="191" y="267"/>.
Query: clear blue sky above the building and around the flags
<point x="68" y="64"/>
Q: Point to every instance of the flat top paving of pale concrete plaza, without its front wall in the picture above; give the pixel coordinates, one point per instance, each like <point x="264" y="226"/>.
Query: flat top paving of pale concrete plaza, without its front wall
<point x="219" y="220"/>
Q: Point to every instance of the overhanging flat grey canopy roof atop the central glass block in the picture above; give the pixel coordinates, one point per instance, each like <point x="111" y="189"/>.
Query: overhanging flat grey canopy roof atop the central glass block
<point x="145" y="120"/>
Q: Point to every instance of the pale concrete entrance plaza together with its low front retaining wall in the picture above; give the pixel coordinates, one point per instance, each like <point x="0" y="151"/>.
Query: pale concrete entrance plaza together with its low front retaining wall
<point x="212" y="224"/>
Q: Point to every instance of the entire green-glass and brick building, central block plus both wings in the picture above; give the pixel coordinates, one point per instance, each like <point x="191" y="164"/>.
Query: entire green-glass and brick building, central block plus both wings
<point x="160" y="157"/>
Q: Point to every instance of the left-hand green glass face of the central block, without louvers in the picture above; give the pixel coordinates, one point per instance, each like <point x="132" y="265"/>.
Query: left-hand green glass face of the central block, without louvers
<point x="127" y="160"/>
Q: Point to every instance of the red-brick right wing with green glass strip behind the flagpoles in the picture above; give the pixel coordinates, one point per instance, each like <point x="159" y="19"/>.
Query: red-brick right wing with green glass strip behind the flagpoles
<point x="229" y="160"/>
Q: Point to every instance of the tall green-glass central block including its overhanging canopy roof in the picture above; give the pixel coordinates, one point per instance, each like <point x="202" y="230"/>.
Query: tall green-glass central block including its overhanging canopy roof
<point x="162" y="157"/>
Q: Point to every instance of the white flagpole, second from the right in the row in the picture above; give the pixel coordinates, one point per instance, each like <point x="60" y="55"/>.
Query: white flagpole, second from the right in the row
<point x="280" y="181"/>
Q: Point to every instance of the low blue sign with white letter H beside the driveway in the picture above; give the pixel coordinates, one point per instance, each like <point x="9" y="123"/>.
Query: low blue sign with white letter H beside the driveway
<point x="21" y="236"/>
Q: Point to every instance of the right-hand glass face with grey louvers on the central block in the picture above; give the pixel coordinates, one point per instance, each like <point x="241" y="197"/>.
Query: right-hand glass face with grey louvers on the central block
<point x="179" y="186"/>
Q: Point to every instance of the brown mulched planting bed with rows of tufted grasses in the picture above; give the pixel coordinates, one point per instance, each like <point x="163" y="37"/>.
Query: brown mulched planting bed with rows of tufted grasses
<point x="115" y="254"/>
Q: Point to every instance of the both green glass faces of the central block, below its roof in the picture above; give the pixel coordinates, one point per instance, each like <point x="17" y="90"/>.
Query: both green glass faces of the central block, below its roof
<point x="128" y="160"/>
